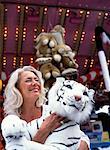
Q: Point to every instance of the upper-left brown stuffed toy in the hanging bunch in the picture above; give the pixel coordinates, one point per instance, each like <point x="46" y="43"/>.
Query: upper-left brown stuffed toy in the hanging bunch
<point x="45" y="42"/>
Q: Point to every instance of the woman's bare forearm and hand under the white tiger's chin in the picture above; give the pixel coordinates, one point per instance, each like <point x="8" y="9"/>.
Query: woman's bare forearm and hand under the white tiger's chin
<point x="49" y="125"/>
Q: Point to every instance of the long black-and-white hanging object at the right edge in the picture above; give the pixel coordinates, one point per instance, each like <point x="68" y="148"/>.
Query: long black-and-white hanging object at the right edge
<point x="101" y="36"/>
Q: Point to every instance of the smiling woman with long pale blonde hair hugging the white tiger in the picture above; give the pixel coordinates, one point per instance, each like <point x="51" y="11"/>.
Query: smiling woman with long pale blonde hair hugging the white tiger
<point x="24" y="96"/>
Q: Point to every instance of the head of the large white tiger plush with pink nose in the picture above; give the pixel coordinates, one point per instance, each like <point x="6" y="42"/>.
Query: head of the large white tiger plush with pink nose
<point x="71" y="99"/>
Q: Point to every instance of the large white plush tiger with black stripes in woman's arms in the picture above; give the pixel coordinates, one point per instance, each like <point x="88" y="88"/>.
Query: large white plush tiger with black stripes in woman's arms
<point x="67" y="98"/>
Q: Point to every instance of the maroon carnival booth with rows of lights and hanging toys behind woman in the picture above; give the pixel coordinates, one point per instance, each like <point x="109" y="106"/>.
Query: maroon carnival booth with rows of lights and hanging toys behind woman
<point x="69" y="39"/>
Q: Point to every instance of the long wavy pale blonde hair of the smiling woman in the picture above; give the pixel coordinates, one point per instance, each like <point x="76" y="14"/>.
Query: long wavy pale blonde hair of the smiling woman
<point x="12" y="97"/>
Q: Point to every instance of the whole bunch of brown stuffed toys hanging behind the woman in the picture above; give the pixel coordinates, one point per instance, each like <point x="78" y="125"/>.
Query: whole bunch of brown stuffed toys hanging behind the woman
<point x="53" y="56"/>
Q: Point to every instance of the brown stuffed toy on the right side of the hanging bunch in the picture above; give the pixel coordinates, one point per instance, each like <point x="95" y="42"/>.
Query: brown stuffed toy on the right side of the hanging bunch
<point x="66" y="63"/>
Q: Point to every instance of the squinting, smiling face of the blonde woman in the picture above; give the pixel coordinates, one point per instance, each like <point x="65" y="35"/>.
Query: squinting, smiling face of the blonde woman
<point x="29" y="85"/>
